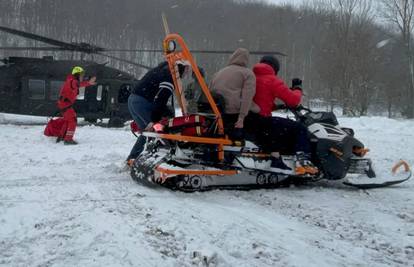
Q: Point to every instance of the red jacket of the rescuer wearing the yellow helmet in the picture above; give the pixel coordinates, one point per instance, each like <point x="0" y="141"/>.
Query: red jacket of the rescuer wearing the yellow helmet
<point x="70" y="91"/>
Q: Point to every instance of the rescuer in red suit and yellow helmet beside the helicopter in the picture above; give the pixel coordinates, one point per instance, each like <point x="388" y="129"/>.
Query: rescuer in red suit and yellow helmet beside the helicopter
<point x="67" y="97"/>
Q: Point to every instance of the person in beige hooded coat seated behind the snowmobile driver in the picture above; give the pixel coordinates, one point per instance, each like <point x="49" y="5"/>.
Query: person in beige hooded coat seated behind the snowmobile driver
<point x="237" y="84"/>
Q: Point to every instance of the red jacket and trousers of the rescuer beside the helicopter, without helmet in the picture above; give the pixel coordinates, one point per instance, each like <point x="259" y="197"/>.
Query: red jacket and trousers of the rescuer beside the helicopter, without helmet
<point x="67" y="98"/>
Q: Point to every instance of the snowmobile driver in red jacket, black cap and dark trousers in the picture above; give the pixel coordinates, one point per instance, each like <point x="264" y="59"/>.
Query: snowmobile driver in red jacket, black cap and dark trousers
<point x="269" y="89"/>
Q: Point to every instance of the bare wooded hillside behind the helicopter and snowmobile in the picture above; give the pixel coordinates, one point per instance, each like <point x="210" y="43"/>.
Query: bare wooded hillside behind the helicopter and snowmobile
<point x="350" y="53"/>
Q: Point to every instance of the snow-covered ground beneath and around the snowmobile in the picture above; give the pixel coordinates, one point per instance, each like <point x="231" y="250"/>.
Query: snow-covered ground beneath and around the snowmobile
<point x="74" y="206"/>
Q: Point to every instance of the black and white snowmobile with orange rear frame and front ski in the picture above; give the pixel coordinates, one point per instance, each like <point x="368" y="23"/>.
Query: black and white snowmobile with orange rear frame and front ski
<point x="193" y="153"/>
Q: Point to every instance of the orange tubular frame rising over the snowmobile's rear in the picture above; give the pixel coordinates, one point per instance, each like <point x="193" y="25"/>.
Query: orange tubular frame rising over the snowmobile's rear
<point x="172" y="55"/>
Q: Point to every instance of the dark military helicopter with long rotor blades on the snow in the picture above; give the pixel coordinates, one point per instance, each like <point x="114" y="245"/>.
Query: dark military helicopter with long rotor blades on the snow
<point x="30" y="86"/>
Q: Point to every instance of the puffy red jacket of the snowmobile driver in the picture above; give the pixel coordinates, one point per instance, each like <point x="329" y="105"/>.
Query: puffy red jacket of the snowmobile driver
<point x="269" y="87"/>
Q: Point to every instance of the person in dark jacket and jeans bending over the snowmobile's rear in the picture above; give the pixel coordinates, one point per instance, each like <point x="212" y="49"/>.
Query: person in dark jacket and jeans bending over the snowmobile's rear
<point x="148" y="102"/>
